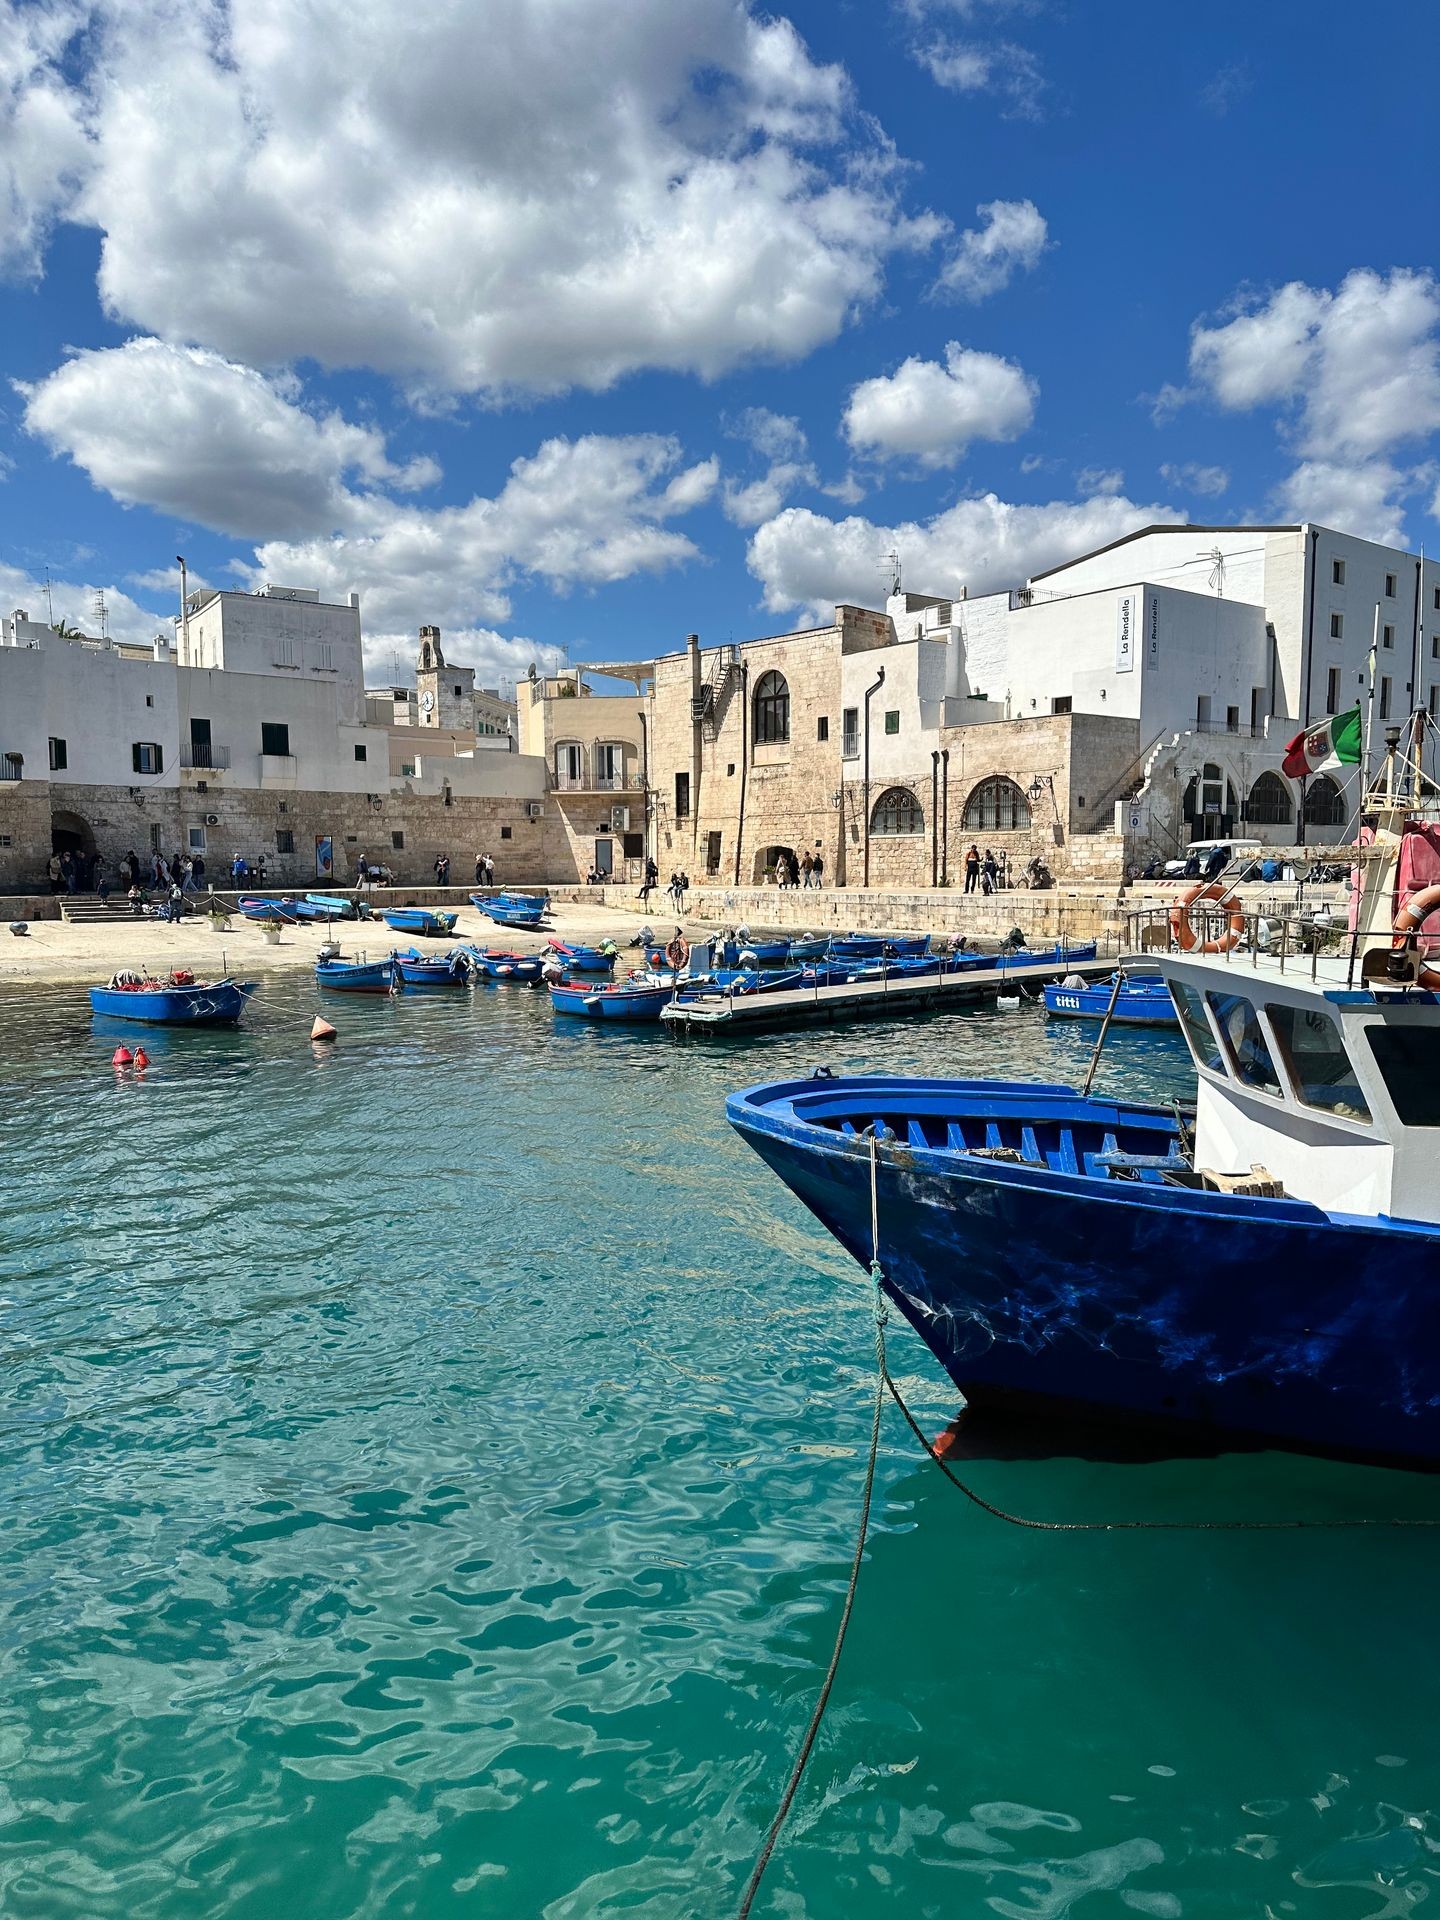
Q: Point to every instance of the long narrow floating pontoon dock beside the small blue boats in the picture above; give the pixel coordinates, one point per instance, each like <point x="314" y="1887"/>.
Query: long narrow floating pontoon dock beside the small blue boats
<point x="717" y="1011"/>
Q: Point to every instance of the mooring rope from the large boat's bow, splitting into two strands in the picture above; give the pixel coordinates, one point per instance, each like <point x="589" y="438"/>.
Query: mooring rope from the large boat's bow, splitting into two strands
<point x="886" y="1385"/>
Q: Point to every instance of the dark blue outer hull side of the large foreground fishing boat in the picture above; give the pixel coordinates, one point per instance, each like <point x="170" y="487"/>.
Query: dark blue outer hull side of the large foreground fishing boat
<point x="1141" y="1303"/>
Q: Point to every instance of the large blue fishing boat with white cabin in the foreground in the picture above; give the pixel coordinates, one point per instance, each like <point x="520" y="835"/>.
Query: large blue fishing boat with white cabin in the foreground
<point x="1268" y="1268"/>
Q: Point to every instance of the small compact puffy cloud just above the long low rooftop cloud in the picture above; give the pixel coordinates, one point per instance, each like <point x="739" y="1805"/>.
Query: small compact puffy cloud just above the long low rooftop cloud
<point x="934" y="412"/>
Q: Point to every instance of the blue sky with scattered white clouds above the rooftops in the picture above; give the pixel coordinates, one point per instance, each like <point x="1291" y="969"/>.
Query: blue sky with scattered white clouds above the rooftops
<point x="577" y="327"/>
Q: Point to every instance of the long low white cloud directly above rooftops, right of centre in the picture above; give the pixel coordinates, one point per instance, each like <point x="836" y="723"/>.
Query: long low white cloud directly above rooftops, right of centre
<point x="805" y="560"/>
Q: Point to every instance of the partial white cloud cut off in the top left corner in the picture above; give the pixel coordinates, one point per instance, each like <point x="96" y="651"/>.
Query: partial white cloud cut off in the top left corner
<point x="43" y="147"/>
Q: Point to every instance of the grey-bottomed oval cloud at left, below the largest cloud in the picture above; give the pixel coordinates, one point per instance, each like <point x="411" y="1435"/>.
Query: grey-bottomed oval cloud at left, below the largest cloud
<point x="206" y="441"/>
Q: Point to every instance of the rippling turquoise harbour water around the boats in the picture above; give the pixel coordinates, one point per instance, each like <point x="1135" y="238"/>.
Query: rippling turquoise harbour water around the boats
<point x="431" y="1470"/>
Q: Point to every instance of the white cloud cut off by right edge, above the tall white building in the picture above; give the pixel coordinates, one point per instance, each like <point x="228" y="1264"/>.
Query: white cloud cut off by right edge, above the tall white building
<point x="1353" y="377"/>
